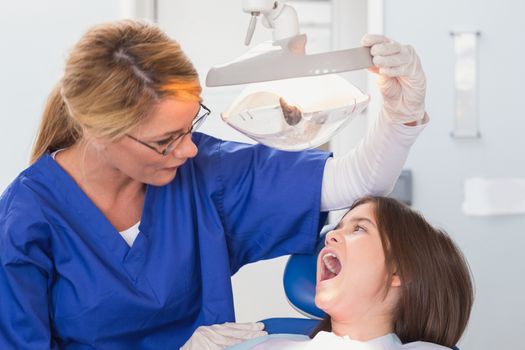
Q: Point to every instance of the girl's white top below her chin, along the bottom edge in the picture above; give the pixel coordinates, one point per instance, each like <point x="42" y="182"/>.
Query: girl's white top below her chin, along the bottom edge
<point x="328" y="340"/>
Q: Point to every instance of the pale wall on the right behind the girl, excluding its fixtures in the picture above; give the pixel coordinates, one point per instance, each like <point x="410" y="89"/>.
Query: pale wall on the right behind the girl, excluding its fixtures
<point x="493" y="245"/>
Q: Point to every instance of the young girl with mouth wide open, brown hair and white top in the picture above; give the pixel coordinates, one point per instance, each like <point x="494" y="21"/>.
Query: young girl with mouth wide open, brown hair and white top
<point x="388" y="280"/>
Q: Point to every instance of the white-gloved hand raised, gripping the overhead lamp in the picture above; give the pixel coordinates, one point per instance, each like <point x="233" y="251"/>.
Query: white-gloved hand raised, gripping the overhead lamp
<point x="401" y="78"/>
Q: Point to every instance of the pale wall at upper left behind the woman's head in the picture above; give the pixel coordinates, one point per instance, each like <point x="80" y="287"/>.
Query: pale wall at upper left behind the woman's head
<point x="35" y="36"/>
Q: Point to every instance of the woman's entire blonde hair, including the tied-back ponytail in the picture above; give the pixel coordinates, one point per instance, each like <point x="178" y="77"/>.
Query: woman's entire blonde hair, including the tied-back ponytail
<point x="113" y="77"/>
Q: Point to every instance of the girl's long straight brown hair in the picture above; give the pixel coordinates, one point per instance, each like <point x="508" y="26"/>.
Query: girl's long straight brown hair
<point x="436" y="288"/>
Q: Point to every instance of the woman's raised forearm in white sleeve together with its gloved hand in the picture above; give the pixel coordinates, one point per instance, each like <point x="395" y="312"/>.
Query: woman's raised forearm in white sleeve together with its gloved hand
<point x="373" y="167"/>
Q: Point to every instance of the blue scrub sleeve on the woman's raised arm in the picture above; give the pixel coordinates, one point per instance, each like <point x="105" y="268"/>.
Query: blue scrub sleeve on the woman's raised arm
<point x="269" y="201"/>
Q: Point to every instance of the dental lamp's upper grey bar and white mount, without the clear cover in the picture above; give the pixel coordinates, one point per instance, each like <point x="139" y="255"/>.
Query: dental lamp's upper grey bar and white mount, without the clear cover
<point x="284" y="57"/>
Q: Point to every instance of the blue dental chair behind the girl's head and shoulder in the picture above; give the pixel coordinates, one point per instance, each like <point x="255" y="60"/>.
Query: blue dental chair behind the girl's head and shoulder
<point x="299" y="285"/>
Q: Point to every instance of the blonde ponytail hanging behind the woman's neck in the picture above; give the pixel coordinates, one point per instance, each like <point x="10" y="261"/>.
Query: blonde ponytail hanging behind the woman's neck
<point x="57" y="129"/>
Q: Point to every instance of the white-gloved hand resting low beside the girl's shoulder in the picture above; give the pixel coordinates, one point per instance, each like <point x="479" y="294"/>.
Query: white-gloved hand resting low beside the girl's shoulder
<point x="220" y="336"/>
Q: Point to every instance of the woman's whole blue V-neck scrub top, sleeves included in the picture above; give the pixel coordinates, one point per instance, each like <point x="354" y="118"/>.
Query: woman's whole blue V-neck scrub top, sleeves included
<point x="68" y="280"/>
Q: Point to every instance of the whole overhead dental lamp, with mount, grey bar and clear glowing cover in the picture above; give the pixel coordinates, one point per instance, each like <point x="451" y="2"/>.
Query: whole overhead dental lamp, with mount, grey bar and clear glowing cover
<point x="295" y="100"/>
